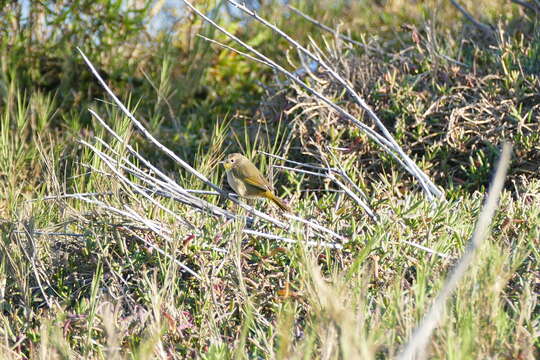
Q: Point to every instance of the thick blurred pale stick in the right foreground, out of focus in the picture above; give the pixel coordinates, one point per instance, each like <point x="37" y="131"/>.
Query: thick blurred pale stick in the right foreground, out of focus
<point x="416" y="347"/>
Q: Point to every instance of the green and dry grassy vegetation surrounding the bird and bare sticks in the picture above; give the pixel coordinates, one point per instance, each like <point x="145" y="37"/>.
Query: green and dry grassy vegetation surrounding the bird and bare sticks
<point x="78" y="280"/>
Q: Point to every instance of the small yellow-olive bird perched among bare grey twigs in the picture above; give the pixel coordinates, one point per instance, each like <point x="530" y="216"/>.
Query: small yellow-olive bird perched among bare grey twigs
<point x="247" y="181"/>
